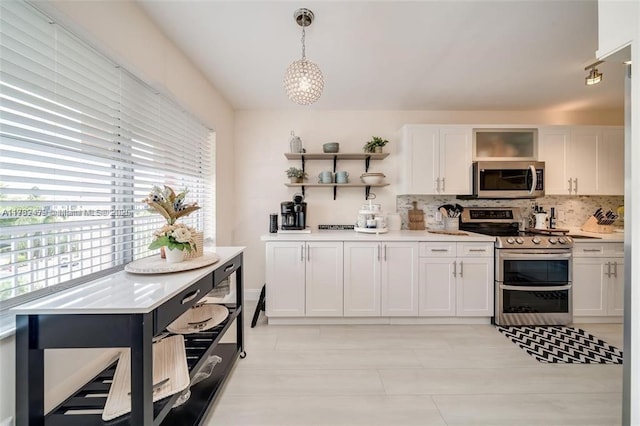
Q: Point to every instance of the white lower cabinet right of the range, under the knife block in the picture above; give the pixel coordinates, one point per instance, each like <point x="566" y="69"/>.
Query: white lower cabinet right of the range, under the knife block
<point x="598" y="280"/>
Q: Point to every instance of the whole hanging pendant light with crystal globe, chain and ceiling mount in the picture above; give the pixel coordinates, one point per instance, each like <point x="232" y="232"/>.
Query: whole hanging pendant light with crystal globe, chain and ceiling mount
<point x="303" y="80"/>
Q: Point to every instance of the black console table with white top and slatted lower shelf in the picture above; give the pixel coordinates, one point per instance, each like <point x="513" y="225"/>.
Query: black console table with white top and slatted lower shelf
<point x="127" y="310"/>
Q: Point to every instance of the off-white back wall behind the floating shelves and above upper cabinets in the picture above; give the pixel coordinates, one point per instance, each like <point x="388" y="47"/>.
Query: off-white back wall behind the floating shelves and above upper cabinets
<point x="262" y="138"/>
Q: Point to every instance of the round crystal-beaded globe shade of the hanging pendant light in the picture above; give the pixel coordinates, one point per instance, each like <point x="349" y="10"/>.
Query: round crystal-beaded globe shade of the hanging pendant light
<point x="303" y="82"/>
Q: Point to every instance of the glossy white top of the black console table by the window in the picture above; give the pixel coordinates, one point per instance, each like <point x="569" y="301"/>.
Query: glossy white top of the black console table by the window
<point x="123" y="292"/>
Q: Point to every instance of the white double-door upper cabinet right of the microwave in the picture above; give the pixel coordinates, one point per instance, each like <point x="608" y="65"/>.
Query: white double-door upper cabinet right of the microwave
<point x="583" y="160"/>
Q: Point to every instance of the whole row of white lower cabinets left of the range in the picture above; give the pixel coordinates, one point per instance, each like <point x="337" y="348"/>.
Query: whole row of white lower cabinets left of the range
<point x="379" y="279"/>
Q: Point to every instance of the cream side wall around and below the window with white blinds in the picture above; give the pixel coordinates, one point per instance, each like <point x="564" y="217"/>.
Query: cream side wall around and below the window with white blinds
<point x="125" y="33"/>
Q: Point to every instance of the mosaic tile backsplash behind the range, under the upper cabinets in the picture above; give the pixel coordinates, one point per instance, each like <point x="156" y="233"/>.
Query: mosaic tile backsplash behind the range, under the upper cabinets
<point x="572" y="211"/>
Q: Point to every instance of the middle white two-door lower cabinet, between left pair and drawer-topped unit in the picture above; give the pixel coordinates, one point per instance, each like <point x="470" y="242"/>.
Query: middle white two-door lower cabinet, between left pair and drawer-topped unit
<point x="380" y="279"/>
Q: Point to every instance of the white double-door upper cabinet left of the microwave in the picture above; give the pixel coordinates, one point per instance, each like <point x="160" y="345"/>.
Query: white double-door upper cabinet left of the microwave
<point x="436" y="159"/>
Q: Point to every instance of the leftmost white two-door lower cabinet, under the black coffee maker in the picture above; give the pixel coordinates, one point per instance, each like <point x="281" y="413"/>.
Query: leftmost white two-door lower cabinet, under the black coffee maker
<point x="304" y="279"/>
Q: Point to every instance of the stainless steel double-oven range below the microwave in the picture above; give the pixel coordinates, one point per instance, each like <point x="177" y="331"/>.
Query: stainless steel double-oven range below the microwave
<point x="533" y="272"/>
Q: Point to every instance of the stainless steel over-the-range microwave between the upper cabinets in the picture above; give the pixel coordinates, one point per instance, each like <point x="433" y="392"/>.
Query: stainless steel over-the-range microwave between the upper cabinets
<point x="508" y="179"/>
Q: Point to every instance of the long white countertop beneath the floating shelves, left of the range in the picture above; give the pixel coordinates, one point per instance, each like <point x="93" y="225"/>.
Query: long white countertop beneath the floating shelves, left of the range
<point x="350" y="235"/>
